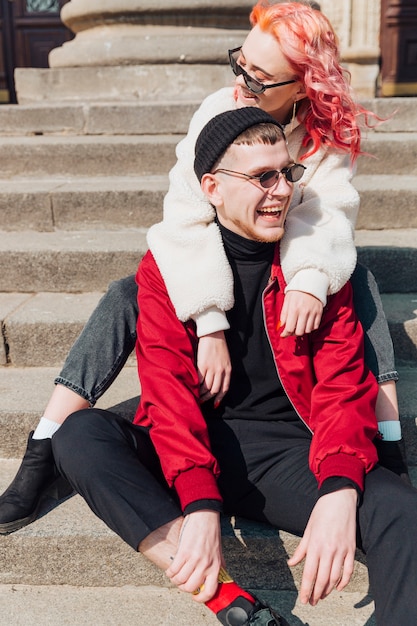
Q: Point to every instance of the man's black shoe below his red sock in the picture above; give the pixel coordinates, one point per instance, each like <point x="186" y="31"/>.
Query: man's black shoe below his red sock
<point x="244" y="613"/>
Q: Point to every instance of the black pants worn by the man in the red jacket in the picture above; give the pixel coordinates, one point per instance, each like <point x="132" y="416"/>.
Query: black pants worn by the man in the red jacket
<point x="265" y="476"/>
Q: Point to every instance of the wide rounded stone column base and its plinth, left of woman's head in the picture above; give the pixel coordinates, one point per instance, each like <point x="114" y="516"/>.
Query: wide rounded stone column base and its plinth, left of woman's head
<point x="140" y="50"/>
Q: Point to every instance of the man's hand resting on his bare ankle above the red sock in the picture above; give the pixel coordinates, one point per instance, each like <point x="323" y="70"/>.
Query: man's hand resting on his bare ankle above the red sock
<point x="199" y="557"/>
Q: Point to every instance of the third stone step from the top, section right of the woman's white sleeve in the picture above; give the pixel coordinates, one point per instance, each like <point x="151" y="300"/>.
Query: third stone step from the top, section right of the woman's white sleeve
<point x="386" y="202"/>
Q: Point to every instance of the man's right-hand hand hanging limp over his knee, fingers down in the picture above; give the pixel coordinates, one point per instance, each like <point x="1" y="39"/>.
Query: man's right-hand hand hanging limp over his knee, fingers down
<point x="328" y="546"/>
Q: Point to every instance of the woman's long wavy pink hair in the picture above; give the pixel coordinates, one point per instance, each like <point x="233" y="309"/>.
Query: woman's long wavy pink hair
<point x="310" y="45"/>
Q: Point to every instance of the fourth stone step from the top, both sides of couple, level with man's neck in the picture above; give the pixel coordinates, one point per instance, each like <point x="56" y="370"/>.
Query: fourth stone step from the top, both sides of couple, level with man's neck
<point x="89" y="260"/>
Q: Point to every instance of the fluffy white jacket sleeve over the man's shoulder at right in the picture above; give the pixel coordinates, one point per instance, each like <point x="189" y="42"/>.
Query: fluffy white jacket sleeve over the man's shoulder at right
<point x="318" y="254"/>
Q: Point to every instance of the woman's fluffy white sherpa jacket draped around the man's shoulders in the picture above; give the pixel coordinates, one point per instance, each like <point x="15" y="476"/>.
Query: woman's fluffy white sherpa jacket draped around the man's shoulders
<point x="317" y="251"/>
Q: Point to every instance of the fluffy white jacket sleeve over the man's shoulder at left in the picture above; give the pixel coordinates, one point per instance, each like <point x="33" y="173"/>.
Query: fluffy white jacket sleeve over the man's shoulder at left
<point x="187" y="245"/>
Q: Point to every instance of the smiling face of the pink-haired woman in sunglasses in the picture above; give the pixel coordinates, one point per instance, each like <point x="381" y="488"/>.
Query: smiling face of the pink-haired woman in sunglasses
<point x="261" y="57"/>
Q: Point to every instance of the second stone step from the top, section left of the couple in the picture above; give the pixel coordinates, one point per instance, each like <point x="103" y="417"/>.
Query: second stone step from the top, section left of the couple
<point x="87" y="155"/>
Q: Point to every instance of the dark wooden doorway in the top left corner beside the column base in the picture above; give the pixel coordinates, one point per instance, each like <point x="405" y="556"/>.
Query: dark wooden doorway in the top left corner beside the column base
<point x="29" y="30"/>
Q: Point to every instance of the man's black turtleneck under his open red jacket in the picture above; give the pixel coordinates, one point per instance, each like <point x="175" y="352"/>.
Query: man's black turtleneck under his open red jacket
<point x="255" y="390"/>
